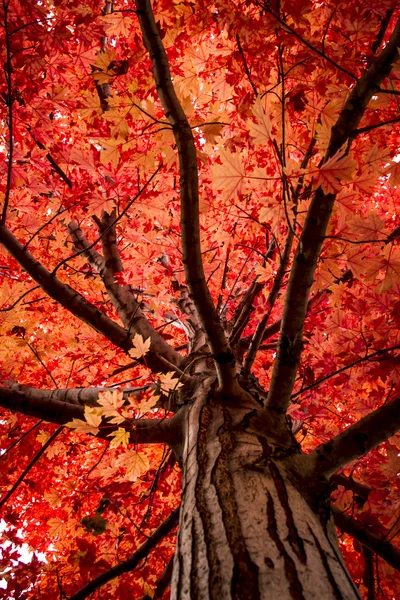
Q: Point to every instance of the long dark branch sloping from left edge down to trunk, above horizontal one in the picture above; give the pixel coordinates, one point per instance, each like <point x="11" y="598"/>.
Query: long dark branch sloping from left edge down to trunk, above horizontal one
<point x="80" y="307"/>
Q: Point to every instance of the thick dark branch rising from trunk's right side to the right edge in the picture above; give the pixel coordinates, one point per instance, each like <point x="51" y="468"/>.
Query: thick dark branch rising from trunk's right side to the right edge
<point x="356" y="440"/>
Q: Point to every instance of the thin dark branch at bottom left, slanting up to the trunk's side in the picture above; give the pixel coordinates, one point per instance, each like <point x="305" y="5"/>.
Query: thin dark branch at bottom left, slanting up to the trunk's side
<point x="131" y="563"/>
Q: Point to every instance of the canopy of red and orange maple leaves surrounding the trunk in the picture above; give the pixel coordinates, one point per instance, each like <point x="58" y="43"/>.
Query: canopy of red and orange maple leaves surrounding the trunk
<point x="90" y="187"/>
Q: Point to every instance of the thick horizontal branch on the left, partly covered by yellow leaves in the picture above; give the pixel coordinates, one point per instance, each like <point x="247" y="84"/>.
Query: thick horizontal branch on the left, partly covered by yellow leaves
<point x="47" y="405"/>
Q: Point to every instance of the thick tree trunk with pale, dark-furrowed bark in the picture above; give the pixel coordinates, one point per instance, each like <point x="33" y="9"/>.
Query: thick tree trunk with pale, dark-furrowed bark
<point x="251" y="526"/>
